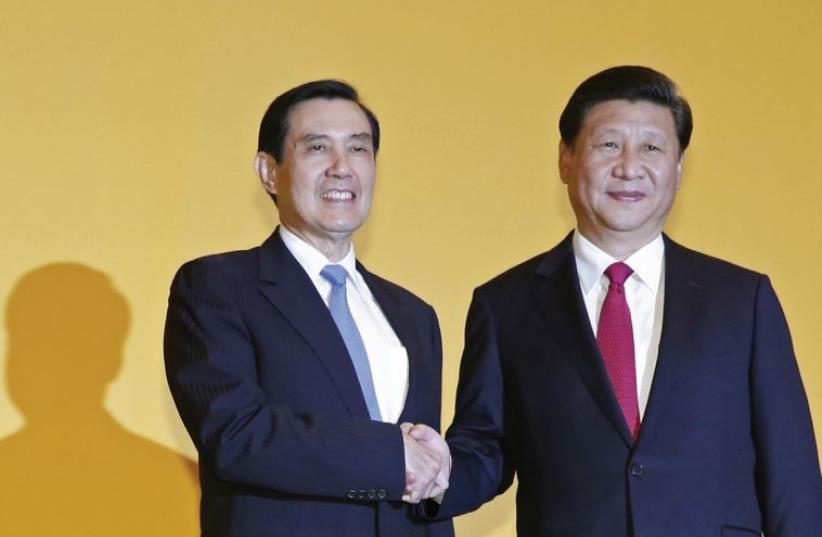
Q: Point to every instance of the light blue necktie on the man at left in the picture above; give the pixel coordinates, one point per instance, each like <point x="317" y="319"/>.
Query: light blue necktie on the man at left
<point x="338" y="305"/>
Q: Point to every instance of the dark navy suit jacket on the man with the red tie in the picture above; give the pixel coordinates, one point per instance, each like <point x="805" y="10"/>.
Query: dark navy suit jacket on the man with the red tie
<point x="726" y="446"/>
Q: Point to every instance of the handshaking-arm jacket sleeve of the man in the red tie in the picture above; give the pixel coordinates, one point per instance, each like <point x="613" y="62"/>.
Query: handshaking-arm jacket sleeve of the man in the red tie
<point x="481" y="463"/>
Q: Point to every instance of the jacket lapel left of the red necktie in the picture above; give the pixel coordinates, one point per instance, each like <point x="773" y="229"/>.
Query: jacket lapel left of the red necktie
<point x="559" y="299"/>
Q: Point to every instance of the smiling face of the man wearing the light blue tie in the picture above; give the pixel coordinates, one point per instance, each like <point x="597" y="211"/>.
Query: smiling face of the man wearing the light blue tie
<point x="325" y="181"/>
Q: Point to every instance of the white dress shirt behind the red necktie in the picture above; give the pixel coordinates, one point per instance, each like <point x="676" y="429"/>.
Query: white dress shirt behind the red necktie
<point x="644" y="291"/>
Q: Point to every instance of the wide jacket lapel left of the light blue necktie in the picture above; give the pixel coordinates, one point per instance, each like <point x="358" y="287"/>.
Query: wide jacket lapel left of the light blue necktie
<point x="289" y="289"/>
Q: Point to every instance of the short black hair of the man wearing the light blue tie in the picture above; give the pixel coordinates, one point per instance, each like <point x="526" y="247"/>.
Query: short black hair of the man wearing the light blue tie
<point x="274" y="125"/>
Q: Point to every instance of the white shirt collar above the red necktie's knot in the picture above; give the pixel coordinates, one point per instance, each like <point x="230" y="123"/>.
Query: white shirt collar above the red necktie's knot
<point x="591" y="262"/>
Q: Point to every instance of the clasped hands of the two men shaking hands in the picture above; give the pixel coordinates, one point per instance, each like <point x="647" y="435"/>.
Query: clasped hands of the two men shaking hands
<point x="427" y="463"/>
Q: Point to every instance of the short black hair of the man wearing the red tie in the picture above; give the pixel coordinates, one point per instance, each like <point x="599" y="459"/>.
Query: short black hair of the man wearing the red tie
<point x="631" y="83"/>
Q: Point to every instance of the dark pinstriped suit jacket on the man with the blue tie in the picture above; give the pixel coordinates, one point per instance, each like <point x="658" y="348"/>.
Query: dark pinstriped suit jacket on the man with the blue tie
<point x="265" y="387"/>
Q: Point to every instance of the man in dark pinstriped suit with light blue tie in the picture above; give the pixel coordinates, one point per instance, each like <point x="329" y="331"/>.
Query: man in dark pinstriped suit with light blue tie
<point x="292" y="365"/>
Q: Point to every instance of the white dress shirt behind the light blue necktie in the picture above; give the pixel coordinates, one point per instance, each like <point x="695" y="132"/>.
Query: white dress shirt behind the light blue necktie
<point x="386" y="355"/>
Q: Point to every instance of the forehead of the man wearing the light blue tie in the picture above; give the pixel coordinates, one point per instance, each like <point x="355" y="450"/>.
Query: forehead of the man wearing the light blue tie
<point x="332" y="117"/>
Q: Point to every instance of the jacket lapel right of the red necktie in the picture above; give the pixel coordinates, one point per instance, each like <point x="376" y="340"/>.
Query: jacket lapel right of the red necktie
<point x="684" y="307"/>
